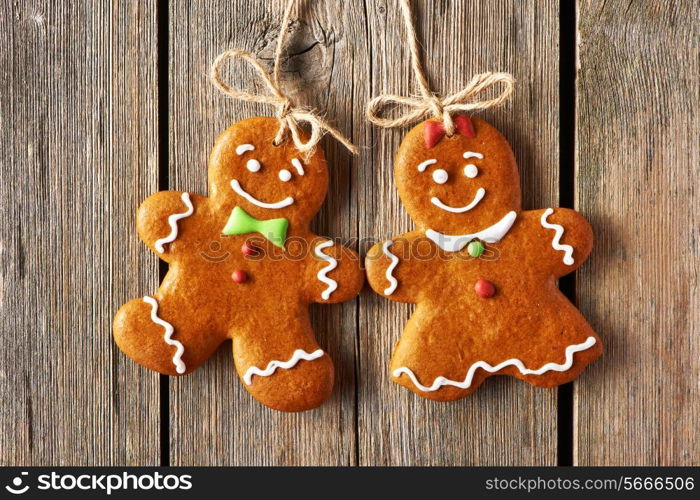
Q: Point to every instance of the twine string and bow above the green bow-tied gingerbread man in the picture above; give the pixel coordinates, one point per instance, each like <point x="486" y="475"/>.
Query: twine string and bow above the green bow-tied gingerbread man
<point x="290" y="116"/>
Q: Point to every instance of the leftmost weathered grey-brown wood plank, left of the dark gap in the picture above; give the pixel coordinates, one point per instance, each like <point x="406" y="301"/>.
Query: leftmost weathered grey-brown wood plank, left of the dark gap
<point x="78" y="139"/>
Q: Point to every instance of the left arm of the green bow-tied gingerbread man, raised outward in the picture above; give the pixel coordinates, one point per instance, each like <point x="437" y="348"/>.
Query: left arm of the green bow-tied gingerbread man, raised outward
<point x="159" y="220"/>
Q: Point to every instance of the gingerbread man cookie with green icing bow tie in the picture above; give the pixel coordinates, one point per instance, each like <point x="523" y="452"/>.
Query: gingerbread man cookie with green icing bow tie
<point x="243" y="266"/>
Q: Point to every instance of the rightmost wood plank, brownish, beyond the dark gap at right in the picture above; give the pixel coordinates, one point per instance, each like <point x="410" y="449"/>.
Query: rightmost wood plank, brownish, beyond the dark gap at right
<point x="637" y="182"/>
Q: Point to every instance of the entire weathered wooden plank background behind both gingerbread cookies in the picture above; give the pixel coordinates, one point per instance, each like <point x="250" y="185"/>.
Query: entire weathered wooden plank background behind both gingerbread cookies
<point x="103" y="103"/>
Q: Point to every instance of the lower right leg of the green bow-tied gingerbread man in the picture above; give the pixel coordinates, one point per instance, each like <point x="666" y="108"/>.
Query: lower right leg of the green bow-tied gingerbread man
<point x="280" y="363"/>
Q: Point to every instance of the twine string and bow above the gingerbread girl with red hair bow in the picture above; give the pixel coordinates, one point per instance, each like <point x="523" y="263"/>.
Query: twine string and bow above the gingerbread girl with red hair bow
<point x="428" y="104"/>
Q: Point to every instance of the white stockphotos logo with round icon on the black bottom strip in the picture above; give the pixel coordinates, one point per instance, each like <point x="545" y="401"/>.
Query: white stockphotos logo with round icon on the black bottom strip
<point x="107" y="483"/>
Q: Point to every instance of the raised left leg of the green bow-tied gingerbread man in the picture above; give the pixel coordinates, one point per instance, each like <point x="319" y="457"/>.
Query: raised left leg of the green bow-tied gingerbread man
<point x="158" y="333"/>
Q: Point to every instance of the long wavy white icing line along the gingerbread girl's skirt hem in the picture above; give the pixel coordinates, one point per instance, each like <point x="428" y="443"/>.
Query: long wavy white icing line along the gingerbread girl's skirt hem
<point x="440" y="381"/>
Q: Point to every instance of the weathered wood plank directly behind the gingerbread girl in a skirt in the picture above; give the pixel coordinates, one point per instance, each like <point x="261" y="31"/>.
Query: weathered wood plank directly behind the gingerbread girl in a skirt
<point x="506" y="422"/>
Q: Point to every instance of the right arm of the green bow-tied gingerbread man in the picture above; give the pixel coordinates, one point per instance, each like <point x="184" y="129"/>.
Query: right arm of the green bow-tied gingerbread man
<point x="333" y="272"/>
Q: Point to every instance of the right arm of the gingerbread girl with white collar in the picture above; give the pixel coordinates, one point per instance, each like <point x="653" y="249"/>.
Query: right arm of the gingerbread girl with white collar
<point x="563" y="239"/>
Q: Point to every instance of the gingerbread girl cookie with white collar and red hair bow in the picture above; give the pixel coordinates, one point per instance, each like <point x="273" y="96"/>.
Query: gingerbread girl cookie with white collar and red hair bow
<point x="481" y="270"/>
